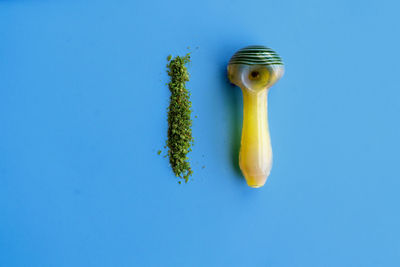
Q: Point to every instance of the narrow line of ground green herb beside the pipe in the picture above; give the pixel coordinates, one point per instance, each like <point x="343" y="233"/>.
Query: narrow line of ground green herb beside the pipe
<point x="179" y="121"/>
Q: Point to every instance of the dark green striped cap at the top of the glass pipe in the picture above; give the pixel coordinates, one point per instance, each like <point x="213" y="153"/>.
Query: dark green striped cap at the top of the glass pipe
<point x="256" y="55"/>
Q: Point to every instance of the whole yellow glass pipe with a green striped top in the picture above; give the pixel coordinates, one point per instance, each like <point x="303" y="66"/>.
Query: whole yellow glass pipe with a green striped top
<point x="255" y="69"/>
